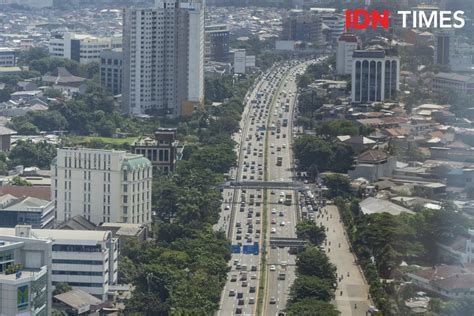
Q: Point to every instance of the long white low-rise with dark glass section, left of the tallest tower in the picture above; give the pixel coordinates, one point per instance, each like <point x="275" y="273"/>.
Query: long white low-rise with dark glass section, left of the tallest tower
<point x="82" y="48"/>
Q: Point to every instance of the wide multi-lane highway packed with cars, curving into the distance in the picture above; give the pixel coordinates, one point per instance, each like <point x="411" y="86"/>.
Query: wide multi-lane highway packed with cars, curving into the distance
<point x="266" y="134"/>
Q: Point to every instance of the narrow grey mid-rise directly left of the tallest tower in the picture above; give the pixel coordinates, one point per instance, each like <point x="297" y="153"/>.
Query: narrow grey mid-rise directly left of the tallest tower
<point x="111" y="70"/>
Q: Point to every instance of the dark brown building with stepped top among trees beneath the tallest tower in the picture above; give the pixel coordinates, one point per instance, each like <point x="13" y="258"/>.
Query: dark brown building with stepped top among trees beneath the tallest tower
<point x="163" y="150"/>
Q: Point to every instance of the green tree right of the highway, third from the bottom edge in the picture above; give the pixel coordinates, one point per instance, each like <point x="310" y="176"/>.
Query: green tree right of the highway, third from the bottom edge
<point x="314" y="262"/>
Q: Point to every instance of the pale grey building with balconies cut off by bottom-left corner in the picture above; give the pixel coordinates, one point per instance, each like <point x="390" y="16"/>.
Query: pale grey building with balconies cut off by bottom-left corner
<point x="25" y="273"/>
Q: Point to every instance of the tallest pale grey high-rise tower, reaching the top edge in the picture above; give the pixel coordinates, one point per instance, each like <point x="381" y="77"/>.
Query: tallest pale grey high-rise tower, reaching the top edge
<point x="163" y="51"/>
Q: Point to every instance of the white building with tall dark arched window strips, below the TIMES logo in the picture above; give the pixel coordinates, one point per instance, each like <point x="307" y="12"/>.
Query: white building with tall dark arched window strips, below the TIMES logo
<point x="375" y="76"/>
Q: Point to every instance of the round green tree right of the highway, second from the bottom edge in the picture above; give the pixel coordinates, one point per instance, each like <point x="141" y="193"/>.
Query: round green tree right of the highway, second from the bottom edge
<point x="311" y="287"/>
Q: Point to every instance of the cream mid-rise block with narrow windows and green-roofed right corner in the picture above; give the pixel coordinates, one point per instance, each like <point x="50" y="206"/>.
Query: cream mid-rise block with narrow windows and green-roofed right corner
<point x="101" y="185"/>
